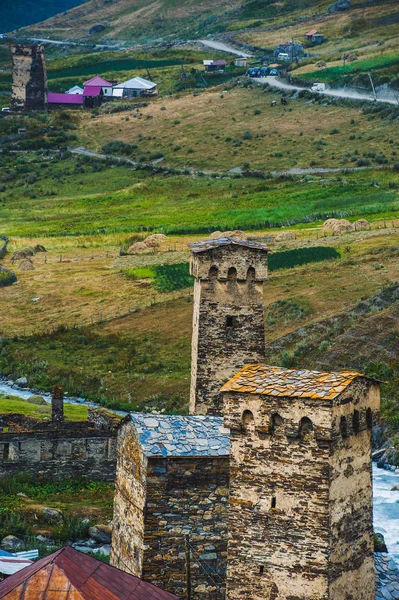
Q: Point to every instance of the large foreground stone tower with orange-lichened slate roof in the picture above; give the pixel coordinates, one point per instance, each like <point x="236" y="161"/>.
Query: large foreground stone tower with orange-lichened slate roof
<point x="300" y="521"/>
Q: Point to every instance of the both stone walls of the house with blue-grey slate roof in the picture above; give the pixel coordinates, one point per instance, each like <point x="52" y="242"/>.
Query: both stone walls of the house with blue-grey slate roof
<point x="158" y="501"/>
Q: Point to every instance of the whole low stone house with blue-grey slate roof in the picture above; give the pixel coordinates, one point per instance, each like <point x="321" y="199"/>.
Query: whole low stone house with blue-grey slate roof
<point x="172" y="482"/>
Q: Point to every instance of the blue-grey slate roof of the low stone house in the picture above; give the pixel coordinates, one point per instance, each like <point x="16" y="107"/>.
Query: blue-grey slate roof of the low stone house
<point x="170" y="435"/>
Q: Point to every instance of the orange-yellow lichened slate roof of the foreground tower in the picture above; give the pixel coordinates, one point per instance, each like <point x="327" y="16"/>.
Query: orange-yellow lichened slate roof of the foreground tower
<point x="276" y="381"/>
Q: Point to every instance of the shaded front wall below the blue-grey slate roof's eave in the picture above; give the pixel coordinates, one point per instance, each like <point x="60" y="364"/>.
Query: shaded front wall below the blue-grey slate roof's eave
<point x="187" y="496"/>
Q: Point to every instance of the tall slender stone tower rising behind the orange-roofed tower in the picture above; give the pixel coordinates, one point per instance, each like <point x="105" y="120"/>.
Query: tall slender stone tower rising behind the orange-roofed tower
<point x="228" y="320"/>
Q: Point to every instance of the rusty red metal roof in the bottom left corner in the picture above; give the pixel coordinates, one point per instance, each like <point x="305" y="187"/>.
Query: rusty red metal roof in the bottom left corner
<point x="77" y="576"/>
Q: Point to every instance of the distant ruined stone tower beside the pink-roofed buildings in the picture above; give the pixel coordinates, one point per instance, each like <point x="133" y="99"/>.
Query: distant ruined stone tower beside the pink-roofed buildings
<point x="29" y="78"/>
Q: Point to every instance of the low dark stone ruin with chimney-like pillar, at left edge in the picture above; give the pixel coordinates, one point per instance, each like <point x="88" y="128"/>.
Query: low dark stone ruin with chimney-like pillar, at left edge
<point x="57" y="448"/>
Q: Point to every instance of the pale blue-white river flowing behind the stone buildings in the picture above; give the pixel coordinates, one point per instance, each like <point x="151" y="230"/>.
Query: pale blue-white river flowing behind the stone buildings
<point x="386" y="502"/>
